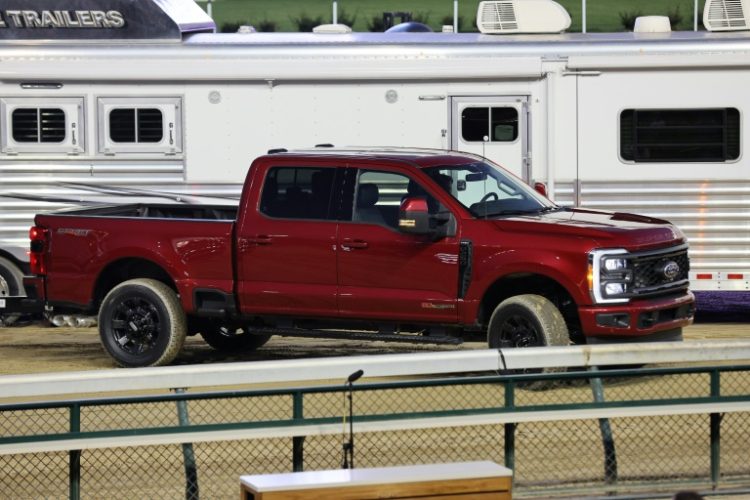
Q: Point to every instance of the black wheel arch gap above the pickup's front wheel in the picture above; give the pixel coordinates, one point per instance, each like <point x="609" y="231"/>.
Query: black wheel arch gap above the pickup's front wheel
<point x="521" y="283"/>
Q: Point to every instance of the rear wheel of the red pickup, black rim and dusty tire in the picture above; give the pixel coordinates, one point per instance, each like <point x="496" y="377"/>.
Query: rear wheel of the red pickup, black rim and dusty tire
<point x="142" y="323"/>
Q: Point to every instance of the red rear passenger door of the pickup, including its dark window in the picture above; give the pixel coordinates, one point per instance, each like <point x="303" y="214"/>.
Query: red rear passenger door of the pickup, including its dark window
<point x="286" y="245"/>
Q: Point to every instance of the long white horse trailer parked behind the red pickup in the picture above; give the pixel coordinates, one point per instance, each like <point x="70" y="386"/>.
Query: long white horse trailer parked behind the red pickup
<point x="142" y="100"/>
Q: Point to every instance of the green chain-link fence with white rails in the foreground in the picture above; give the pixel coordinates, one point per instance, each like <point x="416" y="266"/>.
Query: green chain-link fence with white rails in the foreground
<point x="587" y="431"/>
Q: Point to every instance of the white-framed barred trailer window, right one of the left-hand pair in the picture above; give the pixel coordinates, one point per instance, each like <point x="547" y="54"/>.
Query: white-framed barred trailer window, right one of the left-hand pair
<point x="140" y="125"/>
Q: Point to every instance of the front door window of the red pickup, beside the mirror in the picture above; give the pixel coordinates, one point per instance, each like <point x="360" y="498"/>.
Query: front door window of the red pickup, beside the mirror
<point x="378" y="196"/>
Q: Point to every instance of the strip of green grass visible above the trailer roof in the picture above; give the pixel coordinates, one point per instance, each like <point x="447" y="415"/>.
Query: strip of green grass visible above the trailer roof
<point x="602" y="15"/>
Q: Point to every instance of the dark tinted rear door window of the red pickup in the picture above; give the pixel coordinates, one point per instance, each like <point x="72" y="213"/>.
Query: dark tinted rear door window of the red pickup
<point x="298" y="193"/>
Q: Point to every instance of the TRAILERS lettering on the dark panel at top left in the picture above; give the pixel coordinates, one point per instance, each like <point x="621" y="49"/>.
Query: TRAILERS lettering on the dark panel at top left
<point x="32" y="19"/>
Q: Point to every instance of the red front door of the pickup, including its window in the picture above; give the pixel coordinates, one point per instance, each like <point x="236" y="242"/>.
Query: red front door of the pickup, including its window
<point x="384" y="273"/>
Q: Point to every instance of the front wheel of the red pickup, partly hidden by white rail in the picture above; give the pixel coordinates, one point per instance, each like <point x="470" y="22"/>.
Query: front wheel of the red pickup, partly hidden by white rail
<point x="527" y="321"/>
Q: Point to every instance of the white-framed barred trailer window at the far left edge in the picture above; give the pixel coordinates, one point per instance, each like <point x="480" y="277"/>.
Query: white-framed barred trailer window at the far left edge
<point x="42" y="125"/>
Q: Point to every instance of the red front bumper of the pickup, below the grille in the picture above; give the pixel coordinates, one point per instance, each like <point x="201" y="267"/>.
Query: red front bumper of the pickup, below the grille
<point x="637" y="319"/>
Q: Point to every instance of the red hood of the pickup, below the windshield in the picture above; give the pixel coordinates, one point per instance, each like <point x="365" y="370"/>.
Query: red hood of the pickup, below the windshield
<point x="609" y="229"/>
